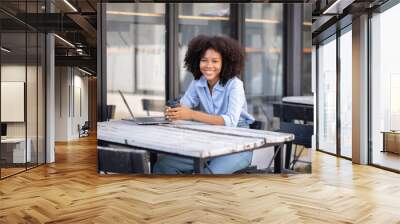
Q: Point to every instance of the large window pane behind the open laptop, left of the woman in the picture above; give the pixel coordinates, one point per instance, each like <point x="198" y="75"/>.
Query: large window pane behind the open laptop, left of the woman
<point x="135" y="56"/>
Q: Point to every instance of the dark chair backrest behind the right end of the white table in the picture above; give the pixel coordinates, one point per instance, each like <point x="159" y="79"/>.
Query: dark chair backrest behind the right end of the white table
<point x="302" y="132"/>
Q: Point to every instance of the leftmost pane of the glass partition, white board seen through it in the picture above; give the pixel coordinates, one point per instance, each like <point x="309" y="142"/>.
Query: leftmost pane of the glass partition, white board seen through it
<point x="14" y="153"/>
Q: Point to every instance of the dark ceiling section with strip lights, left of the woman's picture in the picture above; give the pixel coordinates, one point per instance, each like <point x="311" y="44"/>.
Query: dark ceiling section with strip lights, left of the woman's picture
<point x="74" y="22"/>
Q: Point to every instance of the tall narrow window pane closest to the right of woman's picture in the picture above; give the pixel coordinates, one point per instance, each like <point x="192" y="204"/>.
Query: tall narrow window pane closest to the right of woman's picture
<point x="327" y="95"/>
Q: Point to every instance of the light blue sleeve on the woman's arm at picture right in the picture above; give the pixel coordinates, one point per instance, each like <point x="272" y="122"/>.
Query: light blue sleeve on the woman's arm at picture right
<point x="235" y="103"/>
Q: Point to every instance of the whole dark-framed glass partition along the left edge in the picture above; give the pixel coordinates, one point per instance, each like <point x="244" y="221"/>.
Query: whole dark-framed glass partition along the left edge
<point x="22" y="88"/>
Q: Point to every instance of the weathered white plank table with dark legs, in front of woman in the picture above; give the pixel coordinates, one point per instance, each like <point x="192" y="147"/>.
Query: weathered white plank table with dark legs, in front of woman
<point x="192" y="140"/>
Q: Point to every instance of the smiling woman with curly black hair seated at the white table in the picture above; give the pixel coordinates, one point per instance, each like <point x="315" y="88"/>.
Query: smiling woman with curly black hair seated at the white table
<point x="214" y="62"/>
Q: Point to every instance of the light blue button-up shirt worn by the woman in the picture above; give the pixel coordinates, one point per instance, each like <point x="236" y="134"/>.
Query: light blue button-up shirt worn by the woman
<point x="227" y="101"/>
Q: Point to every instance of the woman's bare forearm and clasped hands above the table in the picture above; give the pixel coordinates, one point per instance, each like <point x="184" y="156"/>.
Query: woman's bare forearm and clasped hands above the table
<point x="185" y="113"/>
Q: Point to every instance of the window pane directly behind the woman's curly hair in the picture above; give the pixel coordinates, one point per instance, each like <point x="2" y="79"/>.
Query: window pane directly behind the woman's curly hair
<point x="195" y="19"/>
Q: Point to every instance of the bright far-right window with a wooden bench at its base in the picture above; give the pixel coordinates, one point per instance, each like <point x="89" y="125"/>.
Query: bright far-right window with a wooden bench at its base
<point x="385" y="87"/>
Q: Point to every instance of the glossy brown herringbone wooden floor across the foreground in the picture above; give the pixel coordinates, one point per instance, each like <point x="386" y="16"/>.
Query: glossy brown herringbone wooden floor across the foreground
<point x="70" y="191"/>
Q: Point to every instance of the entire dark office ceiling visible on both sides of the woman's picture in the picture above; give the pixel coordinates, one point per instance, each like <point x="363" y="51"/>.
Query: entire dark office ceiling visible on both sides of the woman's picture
<point x="75" y="21"/>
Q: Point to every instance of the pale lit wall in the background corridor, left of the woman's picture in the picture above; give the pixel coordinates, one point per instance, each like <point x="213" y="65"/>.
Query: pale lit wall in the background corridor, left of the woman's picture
<point x="71" y="95"/>
